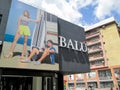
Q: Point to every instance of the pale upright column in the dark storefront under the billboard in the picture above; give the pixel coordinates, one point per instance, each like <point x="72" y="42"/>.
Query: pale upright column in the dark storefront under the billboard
<point x="37" y="83"/>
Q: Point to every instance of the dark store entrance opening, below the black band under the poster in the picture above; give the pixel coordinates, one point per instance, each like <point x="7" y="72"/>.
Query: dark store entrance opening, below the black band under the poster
<point x="28" y="83"/>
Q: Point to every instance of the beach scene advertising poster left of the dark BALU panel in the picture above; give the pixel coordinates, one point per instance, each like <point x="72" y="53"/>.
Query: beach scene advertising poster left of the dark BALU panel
<point x="31" y="39"/>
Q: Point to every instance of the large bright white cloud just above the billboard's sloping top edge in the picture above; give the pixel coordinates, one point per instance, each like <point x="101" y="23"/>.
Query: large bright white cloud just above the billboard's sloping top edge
<point x="60" y="8"/>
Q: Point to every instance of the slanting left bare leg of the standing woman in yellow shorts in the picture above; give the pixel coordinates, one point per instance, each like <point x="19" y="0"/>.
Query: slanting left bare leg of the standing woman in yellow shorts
<point x="17" y="36"/>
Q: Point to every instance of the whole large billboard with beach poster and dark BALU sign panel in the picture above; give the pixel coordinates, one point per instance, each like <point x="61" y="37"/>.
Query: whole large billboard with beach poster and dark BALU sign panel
<point x="36" y="39"/>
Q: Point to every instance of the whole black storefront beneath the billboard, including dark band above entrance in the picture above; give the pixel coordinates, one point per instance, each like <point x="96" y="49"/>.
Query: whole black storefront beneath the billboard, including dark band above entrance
<point x="20" y="79"/>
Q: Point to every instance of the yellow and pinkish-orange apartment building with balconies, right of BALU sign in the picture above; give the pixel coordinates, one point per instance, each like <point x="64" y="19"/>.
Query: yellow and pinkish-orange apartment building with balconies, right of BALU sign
<point x="103" y="41"/>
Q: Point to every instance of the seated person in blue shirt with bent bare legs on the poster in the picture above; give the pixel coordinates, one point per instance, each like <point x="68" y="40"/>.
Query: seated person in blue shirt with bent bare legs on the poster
<point x="49" y="50"/>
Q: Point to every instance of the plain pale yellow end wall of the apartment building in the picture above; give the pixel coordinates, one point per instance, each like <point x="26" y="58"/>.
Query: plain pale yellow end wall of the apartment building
<point x="112" y="44"/>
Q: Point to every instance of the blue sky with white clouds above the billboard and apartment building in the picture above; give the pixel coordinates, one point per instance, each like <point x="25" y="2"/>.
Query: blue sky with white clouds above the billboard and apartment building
<point x="80" y="12"/>
